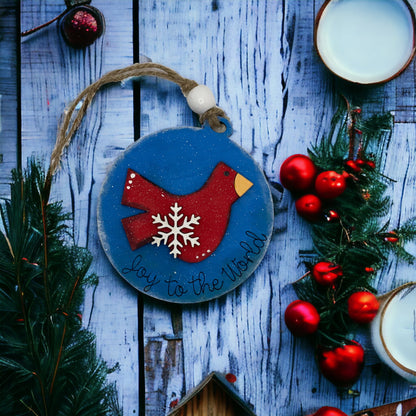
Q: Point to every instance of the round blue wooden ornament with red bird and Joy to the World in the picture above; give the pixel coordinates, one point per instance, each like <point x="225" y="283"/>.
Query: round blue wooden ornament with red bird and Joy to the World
<point x="185" y="215"/>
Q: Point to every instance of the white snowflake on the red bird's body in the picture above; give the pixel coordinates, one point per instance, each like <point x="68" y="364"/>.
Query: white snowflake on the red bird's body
<point x="173" y="233"/>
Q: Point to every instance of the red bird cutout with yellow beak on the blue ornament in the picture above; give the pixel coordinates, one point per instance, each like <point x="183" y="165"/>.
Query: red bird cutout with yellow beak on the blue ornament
<point x="191" y="226"/>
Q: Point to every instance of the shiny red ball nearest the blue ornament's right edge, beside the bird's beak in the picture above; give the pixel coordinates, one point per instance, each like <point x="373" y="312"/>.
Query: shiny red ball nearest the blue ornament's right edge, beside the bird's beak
<point x="298" y="173"/>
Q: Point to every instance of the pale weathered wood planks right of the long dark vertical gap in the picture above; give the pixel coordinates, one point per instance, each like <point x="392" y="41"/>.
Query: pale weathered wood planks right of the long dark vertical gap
<point x="258" y="57"/>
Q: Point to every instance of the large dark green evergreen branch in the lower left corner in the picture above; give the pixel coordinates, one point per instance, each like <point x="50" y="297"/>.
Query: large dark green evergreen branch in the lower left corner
<point x="48" y="360"/>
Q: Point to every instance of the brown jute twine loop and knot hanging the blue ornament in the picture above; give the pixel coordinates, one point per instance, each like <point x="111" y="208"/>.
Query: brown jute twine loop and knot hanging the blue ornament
<point x="71" y="123"/>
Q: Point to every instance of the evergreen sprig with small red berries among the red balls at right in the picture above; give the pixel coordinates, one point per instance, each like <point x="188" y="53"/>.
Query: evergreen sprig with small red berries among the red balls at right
<point x="357" y="239"/>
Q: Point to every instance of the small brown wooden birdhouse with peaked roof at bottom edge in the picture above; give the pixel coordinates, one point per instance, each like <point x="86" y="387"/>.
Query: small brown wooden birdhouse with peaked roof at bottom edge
<point x="213" y="396"/>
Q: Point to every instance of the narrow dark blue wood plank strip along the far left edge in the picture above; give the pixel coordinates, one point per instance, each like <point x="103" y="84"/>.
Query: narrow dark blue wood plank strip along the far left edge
<point x="9" y="125"/>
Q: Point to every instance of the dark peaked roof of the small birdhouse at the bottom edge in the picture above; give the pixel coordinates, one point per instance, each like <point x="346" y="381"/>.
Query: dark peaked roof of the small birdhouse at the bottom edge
<point x="224" y="385"/>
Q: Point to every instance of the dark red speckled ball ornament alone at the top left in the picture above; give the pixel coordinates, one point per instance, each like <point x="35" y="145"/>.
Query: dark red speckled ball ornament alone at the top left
<point x="81" y="26"/>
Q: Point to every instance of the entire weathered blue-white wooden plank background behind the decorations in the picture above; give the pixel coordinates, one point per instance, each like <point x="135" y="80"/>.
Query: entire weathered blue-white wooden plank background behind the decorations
<point x="258" y="58"/>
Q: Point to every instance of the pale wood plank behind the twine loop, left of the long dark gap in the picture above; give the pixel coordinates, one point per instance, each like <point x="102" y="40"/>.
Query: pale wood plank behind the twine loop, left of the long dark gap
<point x="52" y="75"/>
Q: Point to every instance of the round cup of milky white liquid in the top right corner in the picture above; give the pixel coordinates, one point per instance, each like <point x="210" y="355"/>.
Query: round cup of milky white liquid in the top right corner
<point x="365" y="41"/>
